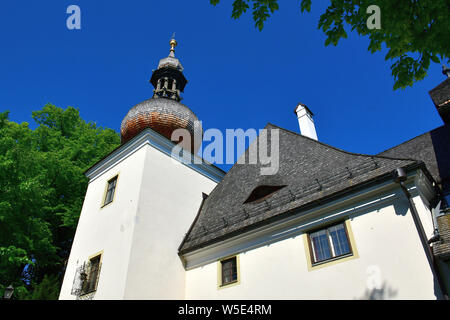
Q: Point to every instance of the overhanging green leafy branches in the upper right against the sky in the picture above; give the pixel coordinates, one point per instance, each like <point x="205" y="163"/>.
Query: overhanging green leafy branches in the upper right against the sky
<point x="415" y="32"/>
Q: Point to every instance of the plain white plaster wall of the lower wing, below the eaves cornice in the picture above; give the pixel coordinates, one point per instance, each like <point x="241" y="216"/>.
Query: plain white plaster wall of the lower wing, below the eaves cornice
<point x="386" y="241"/>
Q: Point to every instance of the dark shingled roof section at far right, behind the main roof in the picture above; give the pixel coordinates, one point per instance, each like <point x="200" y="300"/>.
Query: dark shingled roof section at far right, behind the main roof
<point x="433" y="148"/>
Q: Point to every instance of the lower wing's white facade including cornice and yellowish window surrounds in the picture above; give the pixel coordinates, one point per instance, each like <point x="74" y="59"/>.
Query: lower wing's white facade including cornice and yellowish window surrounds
<point x="388" y="260"/>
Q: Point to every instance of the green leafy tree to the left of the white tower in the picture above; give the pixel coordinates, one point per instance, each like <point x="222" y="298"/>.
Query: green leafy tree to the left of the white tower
<point x="42" y="187"/>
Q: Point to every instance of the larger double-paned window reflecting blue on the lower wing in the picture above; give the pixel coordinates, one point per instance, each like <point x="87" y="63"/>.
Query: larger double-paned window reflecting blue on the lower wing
<point x="329" y="243"/>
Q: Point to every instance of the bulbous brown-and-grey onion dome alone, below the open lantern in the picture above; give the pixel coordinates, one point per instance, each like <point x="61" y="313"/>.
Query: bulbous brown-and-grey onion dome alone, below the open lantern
<point x="163" y="115"/>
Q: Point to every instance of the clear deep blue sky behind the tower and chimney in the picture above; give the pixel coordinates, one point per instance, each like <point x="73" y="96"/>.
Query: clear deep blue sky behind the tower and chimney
<point x="238" y="77"/>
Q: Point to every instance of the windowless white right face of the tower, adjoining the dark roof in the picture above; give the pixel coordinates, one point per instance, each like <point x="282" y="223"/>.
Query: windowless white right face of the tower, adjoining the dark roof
<point x="170" y="197"/>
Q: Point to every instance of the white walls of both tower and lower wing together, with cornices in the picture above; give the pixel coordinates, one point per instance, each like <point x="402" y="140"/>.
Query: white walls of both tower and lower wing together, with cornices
<point x="156" y="201"/>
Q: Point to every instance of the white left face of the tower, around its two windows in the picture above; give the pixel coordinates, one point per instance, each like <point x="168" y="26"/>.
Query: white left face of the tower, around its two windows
<point x="108" y="229"/>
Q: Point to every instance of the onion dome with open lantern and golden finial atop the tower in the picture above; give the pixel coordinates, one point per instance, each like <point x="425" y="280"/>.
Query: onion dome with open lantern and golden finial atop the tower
<point x="163" y="112"/>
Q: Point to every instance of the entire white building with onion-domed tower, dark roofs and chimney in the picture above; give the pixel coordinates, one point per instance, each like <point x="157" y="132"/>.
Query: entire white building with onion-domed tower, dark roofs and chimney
<point x="329" y="224"/>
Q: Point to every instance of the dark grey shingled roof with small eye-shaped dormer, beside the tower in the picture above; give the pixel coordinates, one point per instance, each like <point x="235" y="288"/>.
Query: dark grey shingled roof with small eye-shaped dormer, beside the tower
<point x="310" y="170"/>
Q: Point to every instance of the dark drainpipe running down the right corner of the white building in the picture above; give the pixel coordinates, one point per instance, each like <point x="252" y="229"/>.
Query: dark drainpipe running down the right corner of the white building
<point x="400" y="178"/>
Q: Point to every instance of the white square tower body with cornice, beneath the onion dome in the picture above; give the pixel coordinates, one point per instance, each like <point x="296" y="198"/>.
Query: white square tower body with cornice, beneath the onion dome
<point x="138" y="234"/>
